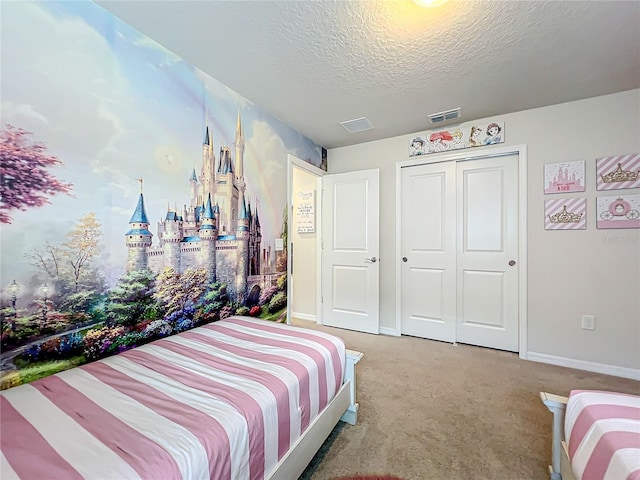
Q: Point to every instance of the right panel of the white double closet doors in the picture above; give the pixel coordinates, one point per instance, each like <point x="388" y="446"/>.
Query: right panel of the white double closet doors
<point x="488" y="252"/>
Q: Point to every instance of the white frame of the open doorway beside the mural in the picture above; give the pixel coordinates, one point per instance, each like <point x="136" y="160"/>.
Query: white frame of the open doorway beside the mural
<point x="319" y="173"/>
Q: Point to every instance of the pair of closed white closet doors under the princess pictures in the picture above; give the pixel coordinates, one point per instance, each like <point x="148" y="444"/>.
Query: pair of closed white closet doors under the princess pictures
<point x="460" y="238"/>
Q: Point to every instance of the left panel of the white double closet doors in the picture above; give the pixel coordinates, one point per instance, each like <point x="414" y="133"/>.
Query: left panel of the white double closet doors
<point x="429" y="251"/>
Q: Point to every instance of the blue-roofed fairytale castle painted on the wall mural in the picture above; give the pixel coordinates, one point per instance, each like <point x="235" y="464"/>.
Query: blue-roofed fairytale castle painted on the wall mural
<point x="216" y="230"/>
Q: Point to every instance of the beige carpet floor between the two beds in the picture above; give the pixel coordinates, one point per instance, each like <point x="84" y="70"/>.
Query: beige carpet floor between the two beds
<point x="431" y="410"/>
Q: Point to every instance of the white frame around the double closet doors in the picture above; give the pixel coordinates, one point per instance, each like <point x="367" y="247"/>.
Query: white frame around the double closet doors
<point x="476" y="154"/>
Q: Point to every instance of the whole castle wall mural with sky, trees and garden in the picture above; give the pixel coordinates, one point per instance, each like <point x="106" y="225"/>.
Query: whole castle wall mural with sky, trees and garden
<point x="139" y="196"/>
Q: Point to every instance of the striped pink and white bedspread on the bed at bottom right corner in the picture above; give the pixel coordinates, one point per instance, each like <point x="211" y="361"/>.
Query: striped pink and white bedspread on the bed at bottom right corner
<point x="602" y="430"/>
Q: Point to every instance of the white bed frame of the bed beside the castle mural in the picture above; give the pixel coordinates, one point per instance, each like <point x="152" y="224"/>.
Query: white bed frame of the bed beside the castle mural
<point x="342" y="407"/>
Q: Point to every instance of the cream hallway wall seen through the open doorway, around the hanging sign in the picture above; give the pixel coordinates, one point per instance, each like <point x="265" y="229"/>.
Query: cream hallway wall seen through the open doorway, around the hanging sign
<point x="304" y="278"/>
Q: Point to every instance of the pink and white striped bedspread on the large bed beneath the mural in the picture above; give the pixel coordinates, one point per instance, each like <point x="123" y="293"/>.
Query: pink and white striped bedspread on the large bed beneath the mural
<point x="222" y="401"/>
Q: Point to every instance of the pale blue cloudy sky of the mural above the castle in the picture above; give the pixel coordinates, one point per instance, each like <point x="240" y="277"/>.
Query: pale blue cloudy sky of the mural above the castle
<point x="113" y="106"/>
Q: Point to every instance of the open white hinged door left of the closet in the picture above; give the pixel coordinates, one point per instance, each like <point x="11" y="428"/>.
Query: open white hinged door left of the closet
<point x="350" y="250"/>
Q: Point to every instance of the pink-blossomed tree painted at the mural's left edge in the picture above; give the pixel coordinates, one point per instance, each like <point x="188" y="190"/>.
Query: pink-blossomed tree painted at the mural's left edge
<point x="25" y="183"/>
